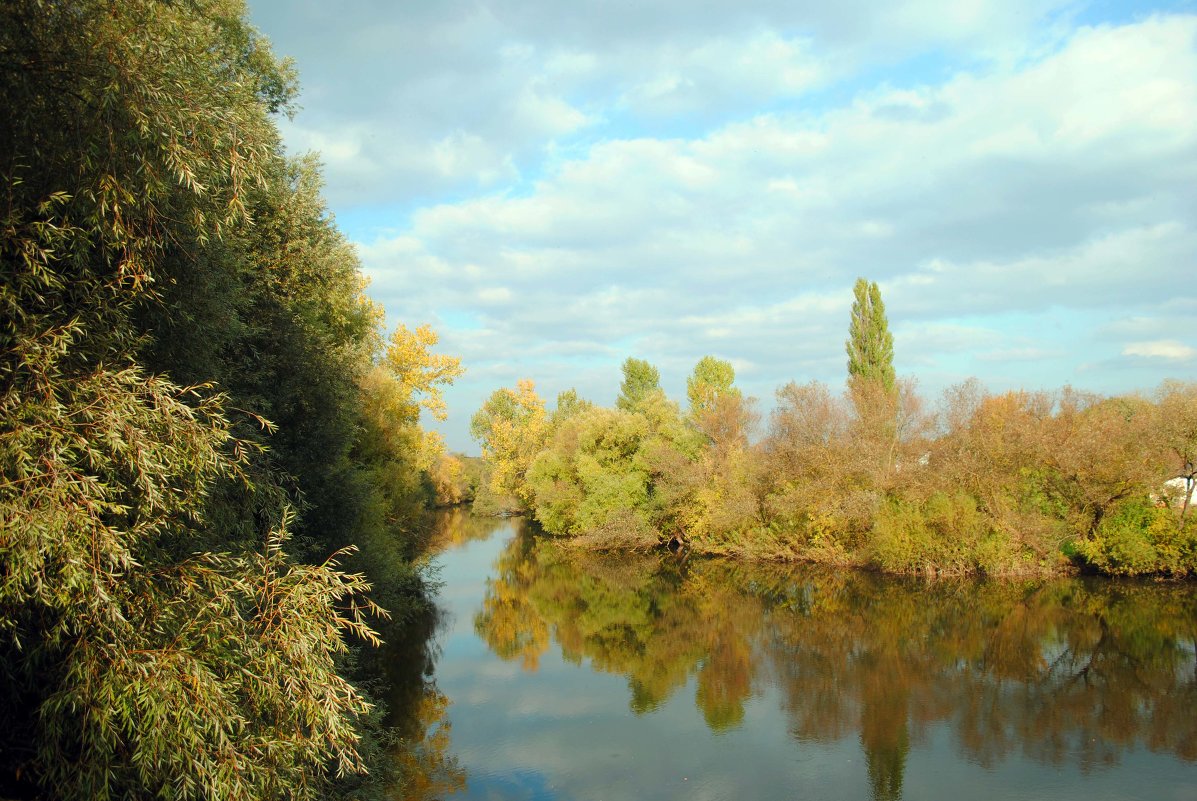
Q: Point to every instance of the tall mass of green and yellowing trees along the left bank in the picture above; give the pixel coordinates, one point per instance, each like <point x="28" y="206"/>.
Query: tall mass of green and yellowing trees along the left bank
<point x="209" y="446"/>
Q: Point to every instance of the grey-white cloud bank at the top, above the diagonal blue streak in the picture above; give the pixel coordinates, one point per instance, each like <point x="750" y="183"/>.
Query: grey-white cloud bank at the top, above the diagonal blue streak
<point x="520" y="77"/>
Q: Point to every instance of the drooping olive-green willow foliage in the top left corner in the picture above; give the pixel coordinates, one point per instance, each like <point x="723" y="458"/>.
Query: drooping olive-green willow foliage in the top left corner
<point x="168" y="132"/>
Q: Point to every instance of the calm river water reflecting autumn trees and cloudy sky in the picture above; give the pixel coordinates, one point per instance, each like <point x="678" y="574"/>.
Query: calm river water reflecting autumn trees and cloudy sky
<point x="567" y="676"/>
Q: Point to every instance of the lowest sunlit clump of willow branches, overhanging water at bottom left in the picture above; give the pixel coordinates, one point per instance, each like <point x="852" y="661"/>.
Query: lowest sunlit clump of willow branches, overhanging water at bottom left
<point x="228" y="689"/>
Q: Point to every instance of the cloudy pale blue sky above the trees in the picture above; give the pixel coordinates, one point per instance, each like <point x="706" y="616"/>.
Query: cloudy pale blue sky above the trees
<point x="558" y="186"/>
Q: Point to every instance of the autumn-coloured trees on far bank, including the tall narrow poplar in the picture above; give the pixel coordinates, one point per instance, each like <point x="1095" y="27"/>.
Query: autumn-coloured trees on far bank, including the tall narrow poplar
<point x="980" y="483"/>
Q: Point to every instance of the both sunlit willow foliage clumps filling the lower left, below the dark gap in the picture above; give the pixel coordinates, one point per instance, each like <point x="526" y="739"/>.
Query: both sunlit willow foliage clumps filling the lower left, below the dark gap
<point x="135" y="671"/>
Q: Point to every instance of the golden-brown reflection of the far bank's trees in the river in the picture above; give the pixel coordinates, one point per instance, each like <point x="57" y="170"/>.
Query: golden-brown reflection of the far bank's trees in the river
<point x="1068" y="672"/>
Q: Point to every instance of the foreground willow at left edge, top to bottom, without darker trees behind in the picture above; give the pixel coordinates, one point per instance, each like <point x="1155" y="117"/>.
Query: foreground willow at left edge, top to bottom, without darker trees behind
<point x="132" y="663"/>
